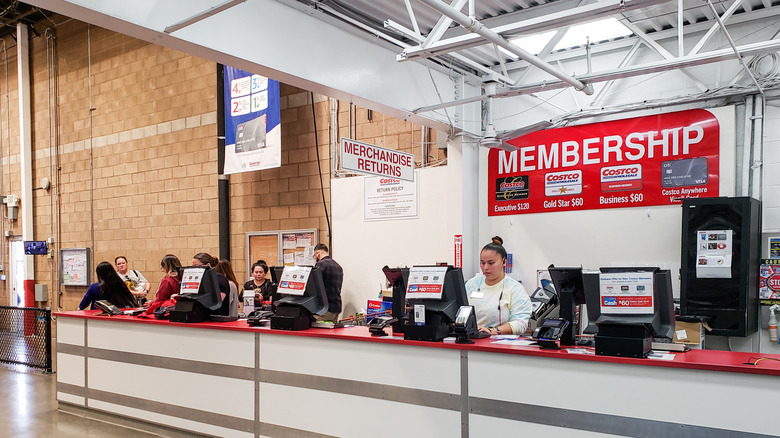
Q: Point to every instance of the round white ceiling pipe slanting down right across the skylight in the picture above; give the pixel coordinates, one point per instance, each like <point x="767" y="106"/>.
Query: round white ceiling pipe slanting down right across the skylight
<point x="477" y="27"/>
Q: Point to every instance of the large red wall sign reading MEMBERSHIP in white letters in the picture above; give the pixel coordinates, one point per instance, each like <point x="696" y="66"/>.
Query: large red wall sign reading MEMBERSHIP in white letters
<point x="651" y="160"/>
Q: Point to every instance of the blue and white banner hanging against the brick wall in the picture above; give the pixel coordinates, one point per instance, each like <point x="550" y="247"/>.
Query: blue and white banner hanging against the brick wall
<point x="253" y="129"/>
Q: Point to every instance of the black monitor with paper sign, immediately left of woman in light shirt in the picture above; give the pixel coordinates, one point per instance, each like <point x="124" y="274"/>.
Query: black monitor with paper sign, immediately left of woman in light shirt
<point x="441" y="299"/>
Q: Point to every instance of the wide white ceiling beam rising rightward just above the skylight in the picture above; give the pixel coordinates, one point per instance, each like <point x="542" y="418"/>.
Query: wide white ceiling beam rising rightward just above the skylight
<point x="544" y="23"/>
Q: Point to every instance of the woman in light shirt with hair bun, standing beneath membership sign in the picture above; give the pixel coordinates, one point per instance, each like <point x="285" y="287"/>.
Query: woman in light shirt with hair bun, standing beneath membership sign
<point x="501" y="302"/>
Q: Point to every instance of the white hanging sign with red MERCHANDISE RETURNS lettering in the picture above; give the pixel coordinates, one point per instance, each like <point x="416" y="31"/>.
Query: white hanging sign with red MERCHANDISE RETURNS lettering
<point x="373" y="160"/>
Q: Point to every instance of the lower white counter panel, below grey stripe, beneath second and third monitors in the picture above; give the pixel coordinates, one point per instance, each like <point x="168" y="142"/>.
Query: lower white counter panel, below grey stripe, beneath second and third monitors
<point x="350" y="416"/>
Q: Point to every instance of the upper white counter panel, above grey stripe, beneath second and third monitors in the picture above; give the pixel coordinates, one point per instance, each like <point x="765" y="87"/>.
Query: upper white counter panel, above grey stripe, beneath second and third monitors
<point x="432" y="369"/>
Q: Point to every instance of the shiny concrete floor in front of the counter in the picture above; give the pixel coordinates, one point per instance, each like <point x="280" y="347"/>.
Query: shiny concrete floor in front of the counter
<point x="28" y="408"/>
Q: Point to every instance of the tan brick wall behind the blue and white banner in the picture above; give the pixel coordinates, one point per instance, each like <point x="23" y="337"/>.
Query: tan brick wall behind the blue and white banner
<point x="154" y="155"/>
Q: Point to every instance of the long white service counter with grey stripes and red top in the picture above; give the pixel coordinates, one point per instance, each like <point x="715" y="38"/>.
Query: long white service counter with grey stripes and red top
<point x="232" y="380"/>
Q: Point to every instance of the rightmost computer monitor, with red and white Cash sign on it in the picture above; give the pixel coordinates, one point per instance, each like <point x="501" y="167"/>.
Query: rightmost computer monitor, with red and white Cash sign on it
<point x="604" y="307"/>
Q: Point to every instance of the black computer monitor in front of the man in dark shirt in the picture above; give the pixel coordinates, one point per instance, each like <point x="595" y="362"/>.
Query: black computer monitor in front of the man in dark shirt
<point x="303" y="297"/>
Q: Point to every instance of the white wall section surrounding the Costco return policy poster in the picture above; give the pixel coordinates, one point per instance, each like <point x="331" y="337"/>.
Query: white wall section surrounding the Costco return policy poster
<point x="362" y="248"/>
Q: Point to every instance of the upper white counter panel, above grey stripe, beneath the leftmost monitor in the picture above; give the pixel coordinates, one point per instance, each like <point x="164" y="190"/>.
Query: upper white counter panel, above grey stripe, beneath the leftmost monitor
<point x="217" y="346"/>
